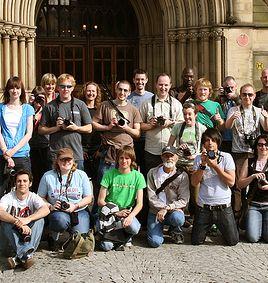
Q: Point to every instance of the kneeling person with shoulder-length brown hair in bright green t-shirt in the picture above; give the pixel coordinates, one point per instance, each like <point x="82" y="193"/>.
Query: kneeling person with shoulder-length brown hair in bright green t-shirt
<point x="123" y="186"/>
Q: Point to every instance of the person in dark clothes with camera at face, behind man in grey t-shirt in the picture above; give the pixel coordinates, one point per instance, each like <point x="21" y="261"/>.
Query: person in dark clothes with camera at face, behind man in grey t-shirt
<point x="39" y="143"/>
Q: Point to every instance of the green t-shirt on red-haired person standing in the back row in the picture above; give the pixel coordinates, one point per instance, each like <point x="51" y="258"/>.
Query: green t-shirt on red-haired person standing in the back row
<point x="207" y="118"/>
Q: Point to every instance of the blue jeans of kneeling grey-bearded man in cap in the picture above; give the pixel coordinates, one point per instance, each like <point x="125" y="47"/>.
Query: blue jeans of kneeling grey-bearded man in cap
<point x="155" y="236"/>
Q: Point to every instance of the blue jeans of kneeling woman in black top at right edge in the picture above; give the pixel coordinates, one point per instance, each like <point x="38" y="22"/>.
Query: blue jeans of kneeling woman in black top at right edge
<point x="257" y="223"/>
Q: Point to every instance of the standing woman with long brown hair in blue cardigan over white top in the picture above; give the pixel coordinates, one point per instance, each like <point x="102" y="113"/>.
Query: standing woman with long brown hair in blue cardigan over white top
<point x="16" y="127"/>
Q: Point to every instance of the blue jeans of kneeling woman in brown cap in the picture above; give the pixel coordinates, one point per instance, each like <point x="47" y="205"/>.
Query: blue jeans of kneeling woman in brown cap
<point x="60" y="221"/>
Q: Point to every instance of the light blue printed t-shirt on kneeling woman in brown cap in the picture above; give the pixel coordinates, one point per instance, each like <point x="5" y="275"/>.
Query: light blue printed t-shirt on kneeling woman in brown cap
<point x="51" y="189"/>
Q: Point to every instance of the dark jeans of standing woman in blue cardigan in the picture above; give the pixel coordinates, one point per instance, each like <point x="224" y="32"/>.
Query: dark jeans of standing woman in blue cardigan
<point x="20" y="163"/>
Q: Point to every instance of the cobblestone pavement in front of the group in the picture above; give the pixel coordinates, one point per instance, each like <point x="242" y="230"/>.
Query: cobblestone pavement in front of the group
<point x="211" y="262"/>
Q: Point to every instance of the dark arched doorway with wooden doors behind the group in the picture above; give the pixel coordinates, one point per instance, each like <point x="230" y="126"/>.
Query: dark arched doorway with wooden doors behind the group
<point x="93" y="40"/>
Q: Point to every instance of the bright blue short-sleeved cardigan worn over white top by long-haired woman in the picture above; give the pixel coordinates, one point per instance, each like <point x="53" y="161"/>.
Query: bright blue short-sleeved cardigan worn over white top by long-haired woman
<point x="27" y="110"/>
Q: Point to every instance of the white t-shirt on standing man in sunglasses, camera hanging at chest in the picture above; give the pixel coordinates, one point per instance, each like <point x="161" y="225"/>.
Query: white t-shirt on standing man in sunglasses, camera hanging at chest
<point x="244" y="125"/>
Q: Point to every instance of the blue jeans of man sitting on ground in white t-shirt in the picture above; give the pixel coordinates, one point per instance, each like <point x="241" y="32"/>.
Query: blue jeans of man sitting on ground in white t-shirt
<point x="23" y="249"/>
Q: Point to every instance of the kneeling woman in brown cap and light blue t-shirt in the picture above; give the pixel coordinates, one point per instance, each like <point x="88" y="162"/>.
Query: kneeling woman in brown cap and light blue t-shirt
<point x="67" y="192"/>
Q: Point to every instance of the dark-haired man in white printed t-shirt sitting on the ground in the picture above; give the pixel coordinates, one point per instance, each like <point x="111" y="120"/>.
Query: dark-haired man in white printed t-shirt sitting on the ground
<point x="21" y="215"/>
